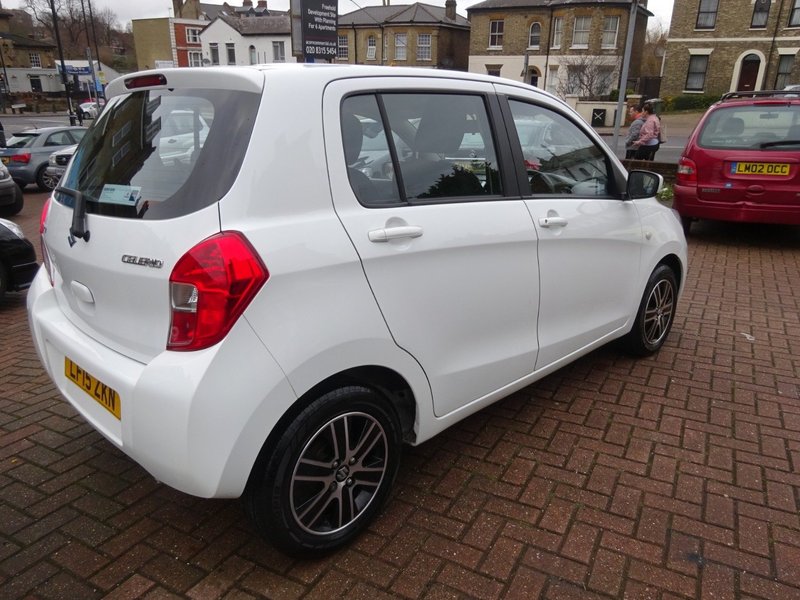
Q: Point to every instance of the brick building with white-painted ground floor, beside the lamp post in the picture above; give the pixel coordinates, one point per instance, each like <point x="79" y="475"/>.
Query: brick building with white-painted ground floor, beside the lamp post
<point x="565" y="46"/>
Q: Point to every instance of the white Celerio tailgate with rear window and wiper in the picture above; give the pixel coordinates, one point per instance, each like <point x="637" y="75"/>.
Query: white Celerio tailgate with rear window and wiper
<point x="144" y="206"/>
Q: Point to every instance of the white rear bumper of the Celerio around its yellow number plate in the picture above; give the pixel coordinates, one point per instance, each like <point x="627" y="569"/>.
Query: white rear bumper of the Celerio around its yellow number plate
<point x="194" y="420"/>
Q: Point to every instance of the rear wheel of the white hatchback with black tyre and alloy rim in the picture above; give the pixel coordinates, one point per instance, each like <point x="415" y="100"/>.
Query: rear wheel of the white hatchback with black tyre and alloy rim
<point x="312" y="491"/>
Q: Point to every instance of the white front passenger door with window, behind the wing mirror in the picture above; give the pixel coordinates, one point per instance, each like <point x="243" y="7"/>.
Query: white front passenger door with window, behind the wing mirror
<point x="589" y="237"/>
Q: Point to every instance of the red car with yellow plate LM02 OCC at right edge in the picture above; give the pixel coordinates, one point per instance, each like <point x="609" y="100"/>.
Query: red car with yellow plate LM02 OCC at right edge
<point x="742" y="161"/>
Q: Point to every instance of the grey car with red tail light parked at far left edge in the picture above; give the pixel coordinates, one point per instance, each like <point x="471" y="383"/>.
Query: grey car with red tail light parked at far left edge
<point x="26" y="153"/>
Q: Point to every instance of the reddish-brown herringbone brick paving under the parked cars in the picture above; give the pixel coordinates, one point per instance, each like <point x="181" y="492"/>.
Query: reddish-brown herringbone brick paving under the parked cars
<point x="672" y="477"/>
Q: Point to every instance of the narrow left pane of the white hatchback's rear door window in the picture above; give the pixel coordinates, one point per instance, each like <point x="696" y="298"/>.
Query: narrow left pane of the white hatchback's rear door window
<point x="367" y="153"/>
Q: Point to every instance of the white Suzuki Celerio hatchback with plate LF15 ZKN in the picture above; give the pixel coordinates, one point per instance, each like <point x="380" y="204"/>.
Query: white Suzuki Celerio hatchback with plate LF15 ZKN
<point x="271" y="319"/>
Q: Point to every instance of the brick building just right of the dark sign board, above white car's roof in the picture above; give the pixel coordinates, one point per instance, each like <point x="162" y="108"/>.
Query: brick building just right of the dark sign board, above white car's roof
<point x="418" y="35"/>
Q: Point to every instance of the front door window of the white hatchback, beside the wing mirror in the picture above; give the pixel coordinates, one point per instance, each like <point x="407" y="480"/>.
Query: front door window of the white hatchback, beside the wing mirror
<point x="559" y="158"/>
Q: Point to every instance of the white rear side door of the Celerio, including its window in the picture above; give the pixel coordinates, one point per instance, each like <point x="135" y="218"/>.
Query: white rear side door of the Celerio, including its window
<point x="448" y="249"/>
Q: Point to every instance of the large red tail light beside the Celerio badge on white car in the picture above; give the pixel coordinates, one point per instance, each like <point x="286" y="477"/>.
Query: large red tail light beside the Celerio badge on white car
<point x="210" y="287"/>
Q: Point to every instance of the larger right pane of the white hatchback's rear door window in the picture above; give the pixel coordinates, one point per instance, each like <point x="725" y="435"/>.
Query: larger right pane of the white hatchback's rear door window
<point x="451" y="152"/>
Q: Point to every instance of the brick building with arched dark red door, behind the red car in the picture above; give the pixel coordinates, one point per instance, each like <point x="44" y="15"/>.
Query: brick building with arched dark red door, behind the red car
<point x="750" y="45"/>
